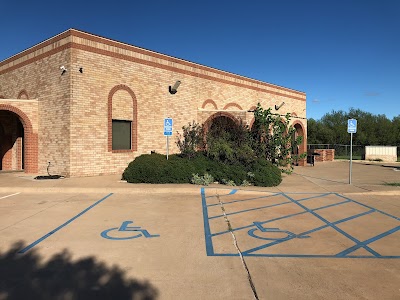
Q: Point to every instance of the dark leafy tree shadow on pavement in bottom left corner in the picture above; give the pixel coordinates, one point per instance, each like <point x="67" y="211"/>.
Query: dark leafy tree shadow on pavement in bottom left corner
<point x="25" y="276"/>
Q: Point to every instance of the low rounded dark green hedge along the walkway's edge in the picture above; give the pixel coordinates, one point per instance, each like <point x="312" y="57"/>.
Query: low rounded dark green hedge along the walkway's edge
<point x="155" y="168"/>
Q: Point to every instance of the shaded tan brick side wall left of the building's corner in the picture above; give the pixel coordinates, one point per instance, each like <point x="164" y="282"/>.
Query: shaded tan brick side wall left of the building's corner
<point x="41" y="79"/>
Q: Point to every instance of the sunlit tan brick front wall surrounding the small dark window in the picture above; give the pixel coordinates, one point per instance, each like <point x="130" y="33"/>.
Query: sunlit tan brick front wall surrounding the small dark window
<point x="89" y="154"/>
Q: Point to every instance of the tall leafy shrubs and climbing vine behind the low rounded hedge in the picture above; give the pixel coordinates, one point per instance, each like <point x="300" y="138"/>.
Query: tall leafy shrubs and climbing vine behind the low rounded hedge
<point x="271" y="138"/>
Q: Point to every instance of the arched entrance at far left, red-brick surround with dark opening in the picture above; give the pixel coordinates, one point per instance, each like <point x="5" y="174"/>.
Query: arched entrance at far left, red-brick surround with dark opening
<point x="19" y="145"/>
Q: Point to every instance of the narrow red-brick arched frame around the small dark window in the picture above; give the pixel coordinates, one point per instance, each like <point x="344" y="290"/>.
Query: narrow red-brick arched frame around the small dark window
<point x="134" y="118"/>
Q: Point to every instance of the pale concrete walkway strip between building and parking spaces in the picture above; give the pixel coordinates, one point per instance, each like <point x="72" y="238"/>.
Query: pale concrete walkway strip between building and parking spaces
<point x="328" y="176"/>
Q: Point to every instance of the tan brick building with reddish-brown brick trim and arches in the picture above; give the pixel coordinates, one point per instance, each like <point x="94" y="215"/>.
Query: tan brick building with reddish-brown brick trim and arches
<point x="108" y="105"/>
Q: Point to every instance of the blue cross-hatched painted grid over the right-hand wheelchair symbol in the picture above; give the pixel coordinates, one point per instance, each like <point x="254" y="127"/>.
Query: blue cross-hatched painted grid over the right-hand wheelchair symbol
<point x="253" y="226"/>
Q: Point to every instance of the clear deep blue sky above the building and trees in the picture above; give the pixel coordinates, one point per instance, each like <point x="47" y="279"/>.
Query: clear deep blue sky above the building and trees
<point x="341" y="53"/>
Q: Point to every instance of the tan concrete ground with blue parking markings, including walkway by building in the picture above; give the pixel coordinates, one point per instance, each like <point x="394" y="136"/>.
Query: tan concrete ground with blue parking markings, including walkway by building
<point x="101" y="238"/>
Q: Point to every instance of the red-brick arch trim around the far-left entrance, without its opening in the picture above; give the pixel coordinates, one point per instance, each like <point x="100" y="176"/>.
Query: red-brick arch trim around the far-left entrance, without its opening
<point x="31" y="139"/>
